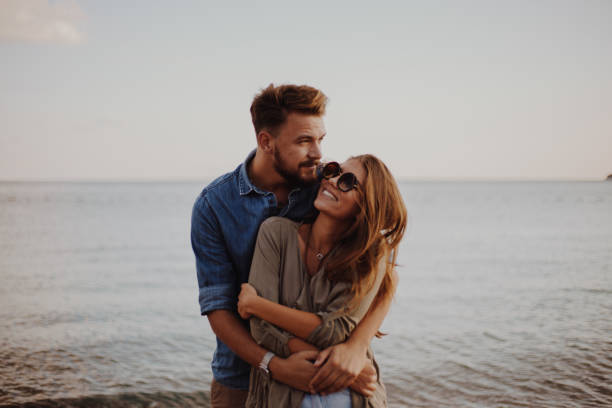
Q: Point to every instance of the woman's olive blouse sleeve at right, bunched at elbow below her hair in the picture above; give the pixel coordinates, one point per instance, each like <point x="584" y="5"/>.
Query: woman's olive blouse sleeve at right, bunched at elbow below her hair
<point x="337" y="321"/>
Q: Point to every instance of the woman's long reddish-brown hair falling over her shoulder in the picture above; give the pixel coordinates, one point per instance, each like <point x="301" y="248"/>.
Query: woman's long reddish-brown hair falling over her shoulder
<point x="374" y="236"/>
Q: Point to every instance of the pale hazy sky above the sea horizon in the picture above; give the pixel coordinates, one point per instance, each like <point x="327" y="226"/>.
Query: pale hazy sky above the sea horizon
<point x="148" y="90"/>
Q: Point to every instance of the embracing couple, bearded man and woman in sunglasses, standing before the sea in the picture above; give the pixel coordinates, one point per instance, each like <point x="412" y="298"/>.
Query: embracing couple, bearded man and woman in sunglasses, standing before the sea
<point x="295" y="264"/>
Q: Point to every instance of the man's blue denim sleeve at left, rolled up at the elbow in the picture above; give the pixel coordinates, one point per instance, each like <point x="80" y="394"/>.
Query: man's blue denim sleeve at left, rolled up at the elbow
<point x="217" y="282"/>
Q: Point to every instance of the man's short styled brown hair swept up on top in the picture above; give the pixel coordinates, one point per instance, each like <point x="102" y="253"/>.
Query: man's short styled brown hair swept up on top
<point x="272" y="105"/>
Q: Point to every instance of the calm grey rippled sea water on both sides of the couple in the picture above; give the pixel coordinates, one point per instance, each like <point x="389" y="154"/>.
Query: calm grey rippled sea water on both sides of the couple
<point x="505" y="297"/>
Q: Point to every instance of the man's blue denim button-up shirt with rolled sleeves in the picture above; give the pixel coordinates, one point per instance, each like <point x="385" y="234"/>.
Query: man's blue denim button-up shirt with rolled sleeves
<point x="224" y="224"/>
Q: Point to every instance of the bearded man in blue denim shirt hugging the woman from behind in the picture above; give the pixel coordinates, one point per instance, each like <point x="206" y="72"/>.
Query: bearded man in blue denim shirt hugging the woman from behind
<point x="277" y="179"/>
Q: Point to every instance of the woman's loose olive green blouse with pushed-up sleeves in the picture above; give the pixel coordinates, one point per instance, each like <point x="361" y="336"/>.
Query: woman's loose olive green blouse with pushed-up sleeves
<point x="278" y="274"/>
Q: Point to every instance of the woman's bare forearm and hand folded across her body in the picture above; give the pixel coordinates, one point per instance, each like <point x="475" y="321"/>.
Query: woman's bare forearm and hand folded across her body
<point x="296" y="322"/>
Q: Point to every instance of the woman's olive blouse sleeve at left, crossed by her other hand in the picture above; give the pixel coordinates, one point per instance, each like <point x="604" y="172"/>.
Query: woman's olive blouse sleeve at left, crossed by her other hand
<point x="264" y="277"/>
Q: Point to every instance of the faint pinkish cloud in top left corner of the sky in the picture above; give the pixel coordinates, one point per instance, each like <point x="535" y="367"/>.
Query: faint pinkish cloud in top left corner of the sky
<point x="41" y="22"/>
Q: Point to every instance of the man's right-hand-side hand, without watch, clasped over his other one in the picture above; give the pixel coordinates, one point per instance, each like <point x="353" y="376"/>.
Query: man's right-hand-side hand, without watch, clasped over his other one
<point x="339" y="367"/>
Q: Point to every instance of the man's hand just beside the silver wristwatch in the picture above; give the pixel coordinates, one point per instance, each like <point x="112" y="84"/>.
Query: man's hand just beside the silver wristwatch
<point x="295" y="371"/>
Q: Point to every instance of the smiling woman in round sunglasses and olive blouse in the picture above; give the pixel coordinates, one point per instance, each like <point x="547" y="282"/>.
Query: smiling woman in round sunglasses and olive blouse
<point x="310" y="284"/>
